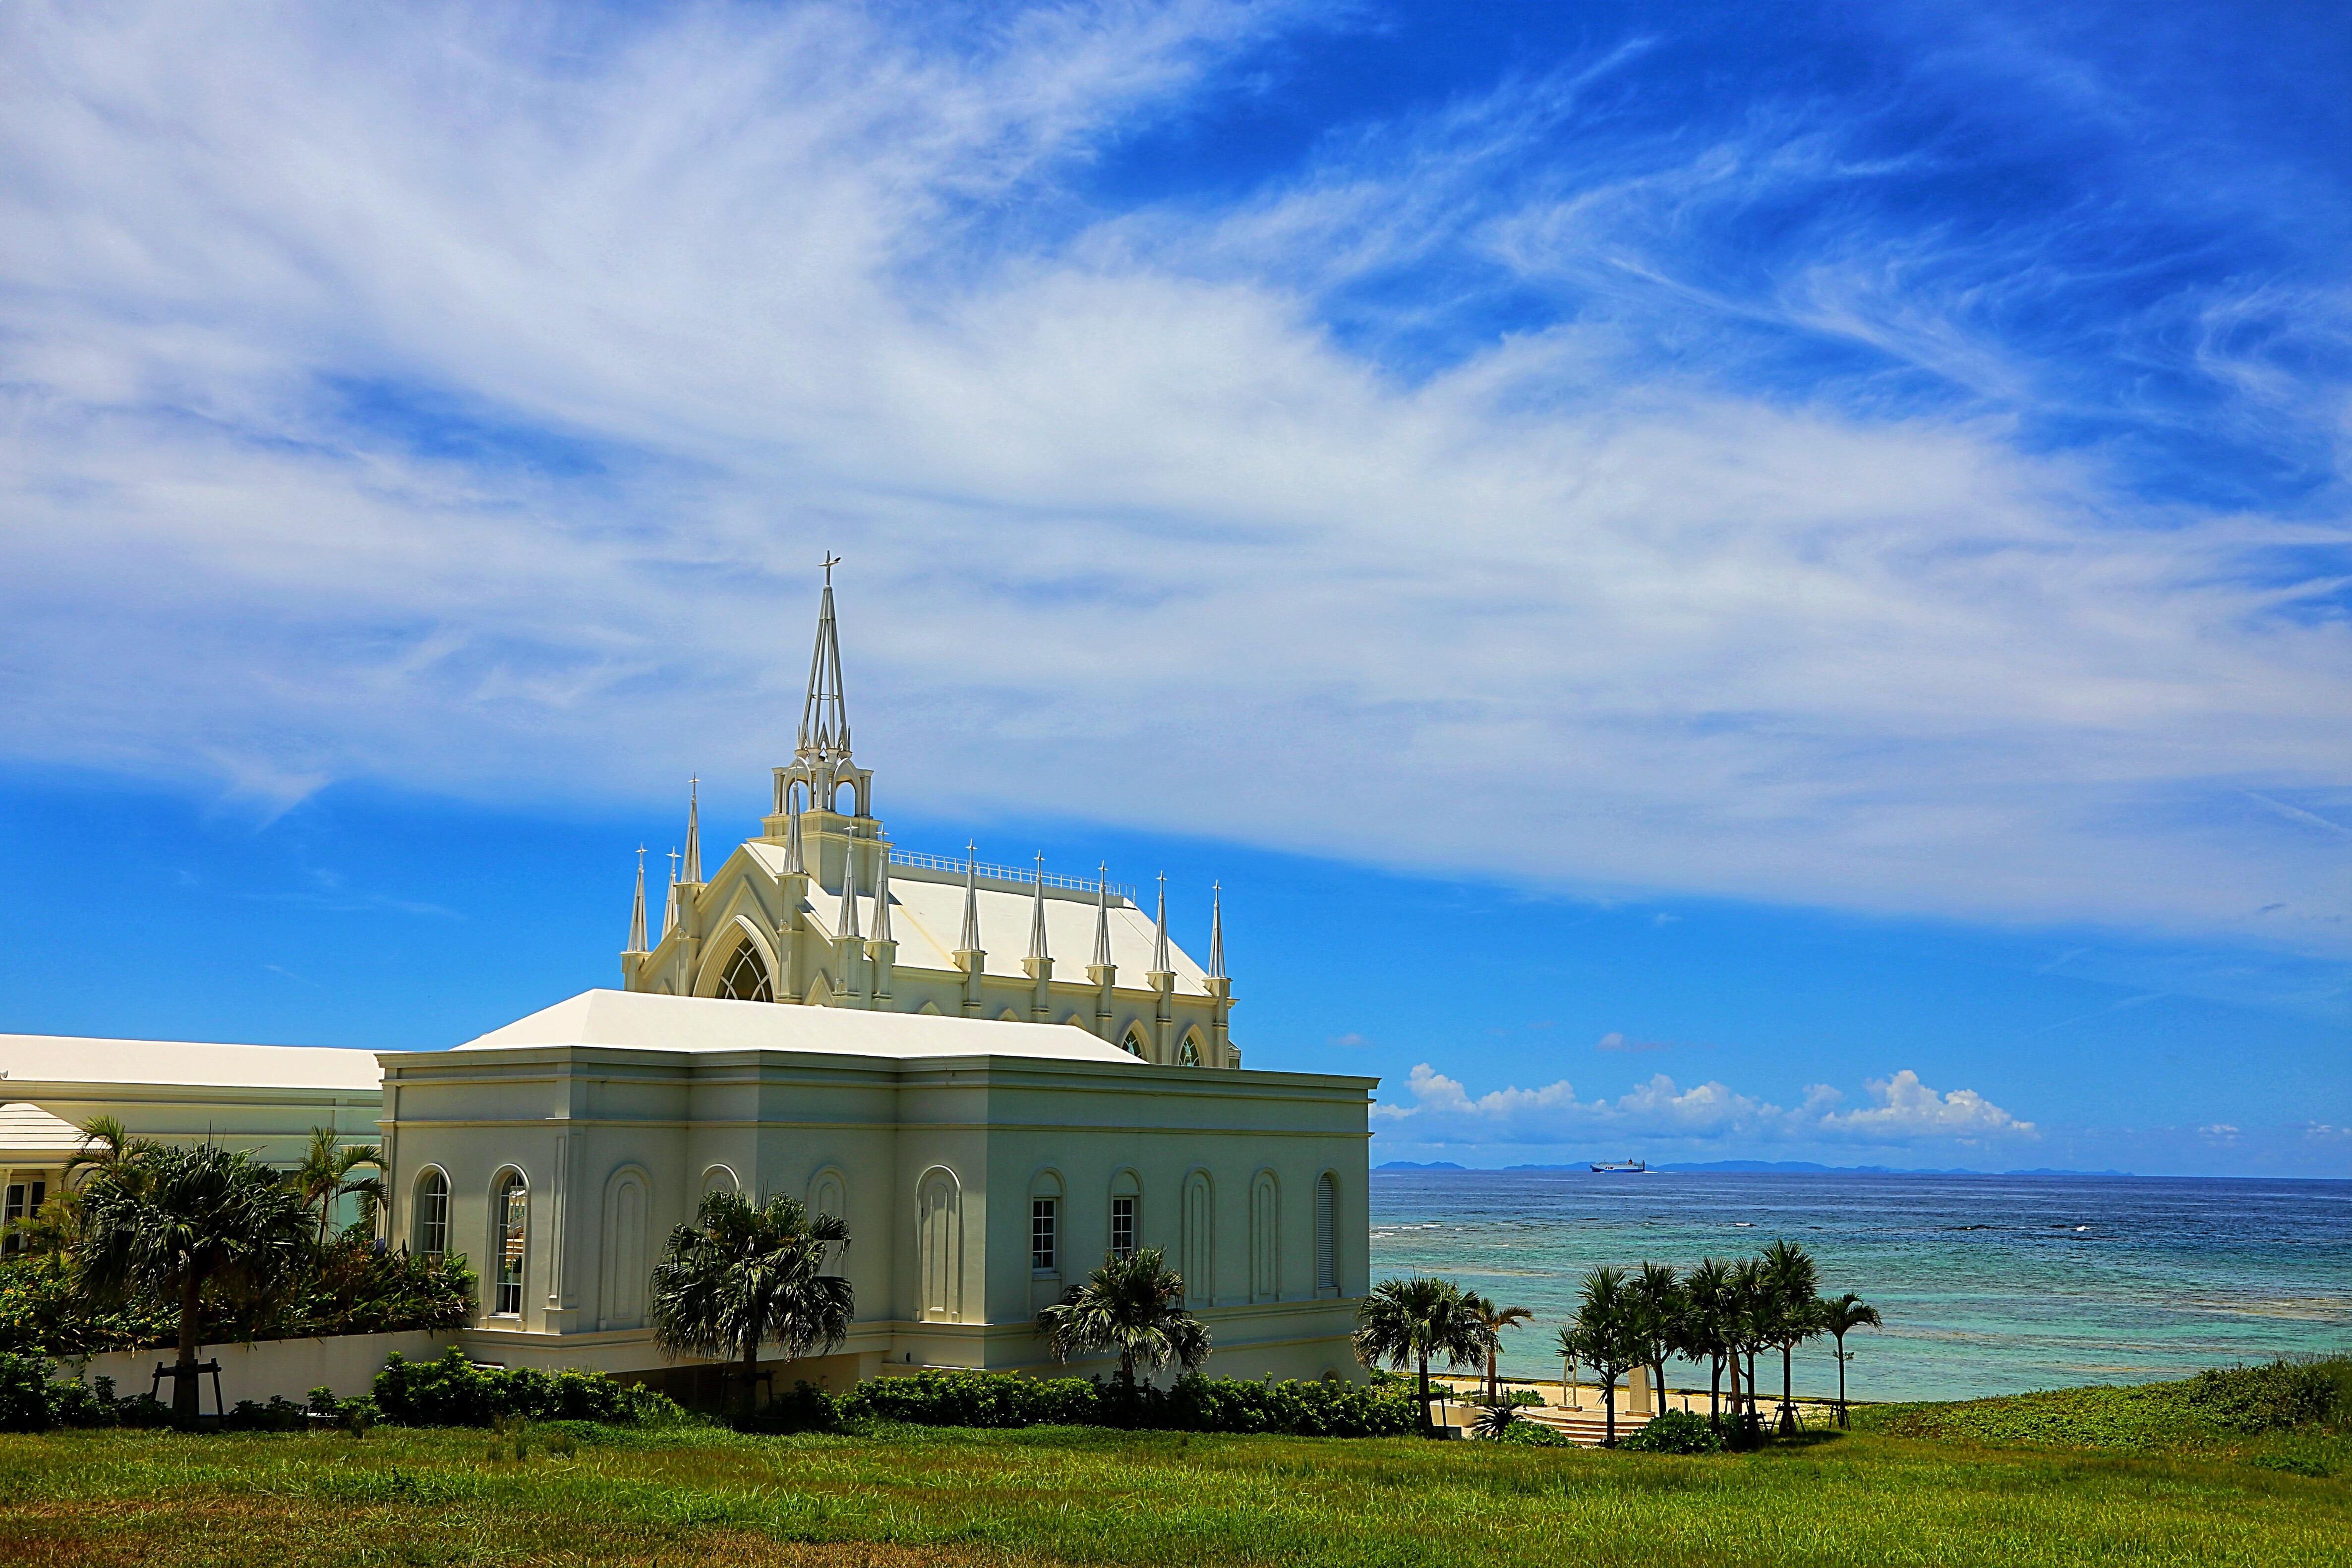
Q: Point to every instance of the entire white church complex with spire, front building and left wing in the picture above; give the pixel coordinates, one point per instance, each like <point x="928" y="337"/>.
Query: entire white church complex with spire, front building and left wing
<point x="841" y="1021"/>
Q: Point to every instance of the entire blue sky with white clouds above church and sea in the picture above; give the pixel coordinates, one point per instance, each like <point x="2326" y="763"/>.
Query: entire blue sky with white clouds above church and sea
<point x="1716" y="582"/>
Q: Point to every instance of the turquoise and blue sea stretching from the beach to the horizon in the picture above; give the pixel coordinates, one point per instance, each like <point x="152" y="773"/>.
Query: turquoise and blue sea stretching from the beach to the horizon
<point x="1991" y="1285"/>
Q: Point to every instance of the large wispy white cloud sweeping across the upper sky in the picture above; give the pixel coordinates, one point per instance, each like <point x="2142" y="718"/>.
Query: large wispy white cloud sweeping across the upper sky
<point x="465" y="401"/>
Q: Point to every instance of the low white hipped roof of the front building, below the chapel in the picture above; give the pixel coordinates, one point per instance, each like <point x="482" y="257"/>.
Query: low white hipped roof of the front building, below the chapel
<point x="709" y="1024"/>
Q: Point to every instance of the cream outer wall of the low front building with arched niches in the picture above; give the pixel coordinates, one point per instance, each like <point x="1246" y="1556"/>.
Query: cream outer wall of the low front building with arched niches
<point x="575" y="1118"/>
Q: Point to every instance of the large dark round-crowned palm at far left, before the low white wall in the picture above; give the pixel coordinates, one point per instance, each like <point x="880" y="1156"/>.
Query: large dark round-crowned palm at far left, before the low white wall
<point x="185" y="1221"/>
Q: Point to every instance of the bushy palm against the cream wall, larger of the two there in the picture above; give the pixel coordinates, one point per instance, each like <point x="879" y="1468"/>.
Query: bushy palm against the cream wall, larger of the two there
<point x="742" y="1278"/>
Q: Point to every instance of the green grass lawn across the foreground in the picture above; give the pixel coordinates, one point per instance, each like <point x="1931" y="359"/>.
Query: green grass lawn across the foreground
<point x="1090" y="1496"/>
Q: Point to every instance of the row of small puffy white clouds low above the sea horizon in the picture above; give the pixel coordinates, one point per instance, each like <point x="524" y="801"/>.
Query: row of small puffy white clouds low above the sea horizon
<point x="1902" y="1113"/>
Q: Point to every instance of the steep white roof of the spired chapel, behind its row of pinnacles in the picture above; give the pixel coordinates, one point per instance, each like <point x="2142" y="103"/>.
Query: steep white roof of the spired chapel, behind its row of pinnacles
<point x="928" y="923"/>
